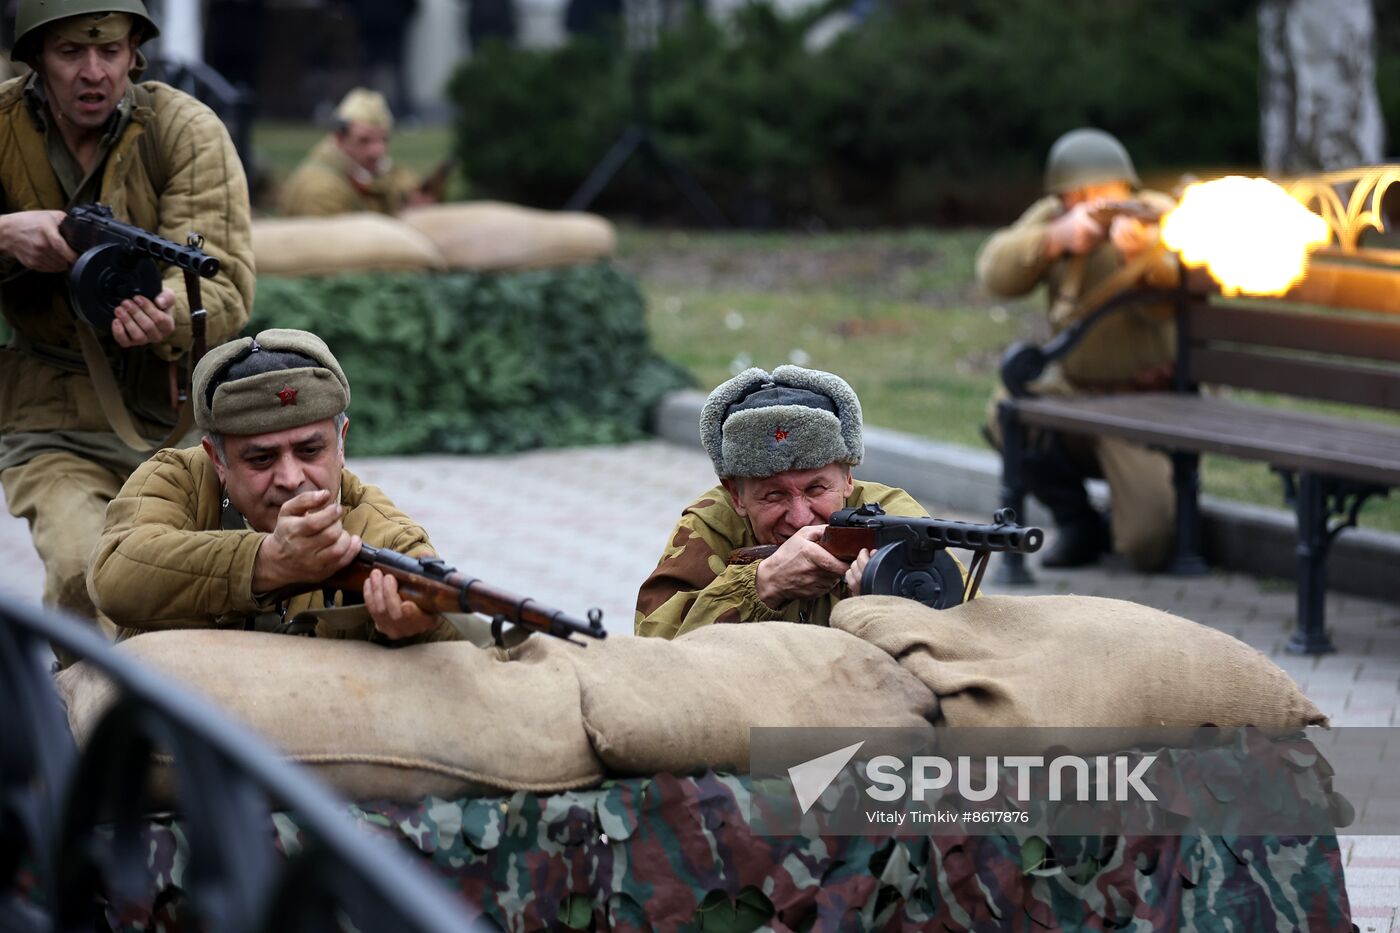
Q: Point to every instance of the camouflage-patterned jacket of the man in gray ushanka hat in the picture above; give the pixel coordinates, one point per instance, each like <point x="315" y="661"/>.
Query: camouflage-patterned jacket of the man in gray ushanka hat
<point x="694" y="586"/>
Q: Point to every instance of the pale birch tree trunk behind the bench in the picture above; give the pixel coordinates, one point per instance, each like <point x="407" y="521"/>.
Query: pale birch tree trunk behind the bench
<point x="1319" y="110"/>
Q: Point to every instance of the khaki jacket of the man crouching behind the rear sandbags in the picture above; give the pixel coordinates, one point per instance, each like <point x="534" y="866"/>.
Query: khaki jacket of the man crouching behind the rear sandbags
<point x="330" y="183"/>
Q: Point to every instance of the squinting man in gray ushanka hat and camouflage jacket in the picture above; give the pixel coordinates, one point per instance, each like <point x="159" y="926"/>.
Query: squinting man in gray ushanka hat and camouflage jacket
<point x="783" y="446"/>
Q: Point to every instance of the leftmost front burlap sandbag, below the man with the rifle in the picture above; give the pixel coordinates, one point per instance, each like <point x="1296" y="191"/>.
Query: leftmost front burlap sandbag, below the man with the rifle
<point x="447" y="719"/>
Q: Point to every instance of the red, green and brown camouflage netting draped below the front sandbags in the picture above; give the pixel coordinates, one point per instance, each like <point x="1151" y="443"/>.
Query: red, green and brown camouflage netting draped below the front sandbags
<point x="677" y="854"/>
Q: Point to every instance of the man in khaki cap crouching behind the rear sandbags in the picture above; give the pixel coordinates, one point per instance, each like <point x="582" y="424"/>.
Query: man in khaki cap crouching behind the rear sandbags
<point x="351" y="170"/>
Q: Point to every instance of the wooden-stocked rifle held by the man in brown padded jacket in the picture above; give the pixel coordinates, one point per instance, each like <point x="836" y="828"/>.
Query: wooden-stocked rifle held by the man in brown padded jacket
<point x="436" y="588"/>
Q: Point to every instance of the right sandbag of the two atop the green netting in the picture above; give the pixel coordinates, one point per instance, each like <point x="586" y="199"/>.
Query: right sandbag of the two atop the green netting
<point x="489" y="236"/>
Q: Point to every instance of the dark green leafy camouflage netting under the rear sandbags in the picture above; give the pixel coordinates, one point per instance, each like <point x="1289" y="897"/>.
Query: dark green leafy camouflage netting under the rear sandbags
<point x="475" y="362"/>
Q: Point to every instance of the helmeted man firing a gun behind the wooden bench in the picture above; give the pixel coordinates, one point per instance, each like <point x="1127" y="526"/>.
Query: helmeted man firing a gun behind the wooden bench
<point x="1065" y="243"/>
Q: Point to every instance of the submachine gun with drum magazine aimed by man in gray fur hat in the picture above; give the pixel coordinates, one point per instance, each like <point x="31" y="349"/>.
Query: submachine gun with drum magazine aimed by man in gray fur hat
<point x="909" y="557"/>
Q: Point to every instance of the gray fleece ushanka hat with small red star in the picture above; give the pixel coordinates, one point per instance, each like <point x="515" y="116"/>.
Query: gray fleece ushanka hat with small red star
<point x="762" y="425"/>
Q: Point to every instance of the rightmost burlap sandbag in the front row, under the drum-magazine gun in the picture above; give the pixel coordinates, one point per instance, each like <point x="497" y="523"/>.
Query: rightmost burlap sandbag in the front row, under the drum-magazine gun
<point x="1080" y="662"/>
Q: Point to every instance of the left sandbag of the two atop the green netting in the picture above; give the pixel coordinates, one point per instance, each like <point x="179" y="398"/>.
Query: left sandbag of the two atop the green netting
<point x="345" y="243"/>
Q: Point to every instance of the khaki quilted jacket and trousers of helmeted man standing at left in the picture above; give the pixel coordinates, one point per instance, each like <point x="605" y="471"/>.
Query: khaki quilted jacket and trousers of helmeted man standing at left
<point x="59" y="460"/>
